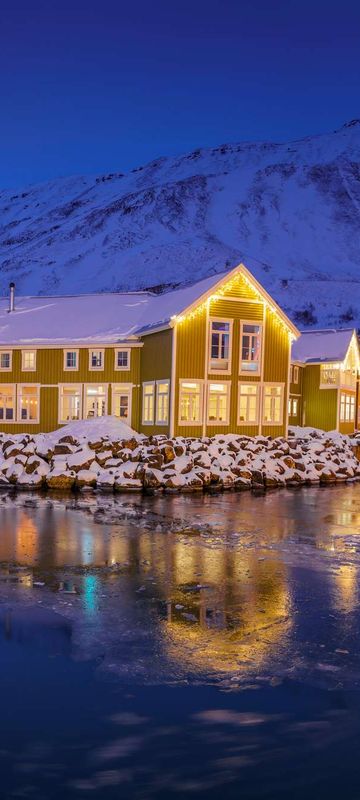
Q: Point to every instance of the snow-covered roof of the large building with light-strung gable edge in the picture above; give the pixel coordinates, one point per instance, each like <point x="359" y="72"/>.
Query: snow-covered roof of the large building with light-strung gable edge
<point x="113" y="317"/>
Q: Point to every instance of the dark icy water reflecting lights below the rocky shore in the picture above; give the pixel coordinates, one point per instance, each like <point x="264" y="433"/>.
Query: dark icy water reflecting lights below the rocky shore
<point x="171" y="647"/>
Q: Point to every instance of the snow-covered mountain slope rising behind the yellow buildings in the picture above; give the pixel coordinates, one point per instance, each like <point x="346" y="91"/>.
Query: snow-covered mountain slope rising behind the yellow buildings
<point x="290" y="211"/>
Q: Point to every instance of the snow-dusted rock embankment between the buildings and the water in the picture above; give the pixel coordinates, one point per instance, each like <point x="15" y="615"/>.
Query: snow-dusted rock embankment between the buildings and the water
<point x="106" y="455"/>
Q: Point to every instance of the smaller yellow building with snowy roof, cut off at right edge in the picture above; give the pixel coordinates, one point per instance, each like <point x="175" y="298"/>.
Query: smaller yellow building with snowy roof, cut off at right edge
<point x="324" y="390"/>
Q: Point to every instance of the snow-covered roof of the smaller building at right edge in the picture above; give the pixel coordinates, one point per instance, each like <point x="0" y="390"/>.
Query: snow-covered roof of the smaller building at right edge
<point x="327" y="346"/>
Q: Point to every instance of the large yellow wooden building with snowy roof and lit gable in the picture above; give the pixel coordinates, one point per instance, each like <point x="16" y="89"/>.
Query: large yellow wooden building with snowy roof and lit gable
<point x="210" y="358"/>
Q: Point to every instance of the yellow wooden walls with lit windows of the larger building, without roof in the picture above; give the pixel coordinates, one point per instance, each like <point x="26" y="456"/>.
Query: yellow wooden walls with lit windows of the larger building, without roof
<point x="172" y="384"/>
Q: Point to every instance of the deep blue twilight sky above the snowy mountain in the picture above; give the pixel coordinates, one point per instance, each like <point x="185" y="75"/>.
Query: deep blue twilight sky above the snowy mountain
<point x="106" y="85"/>
